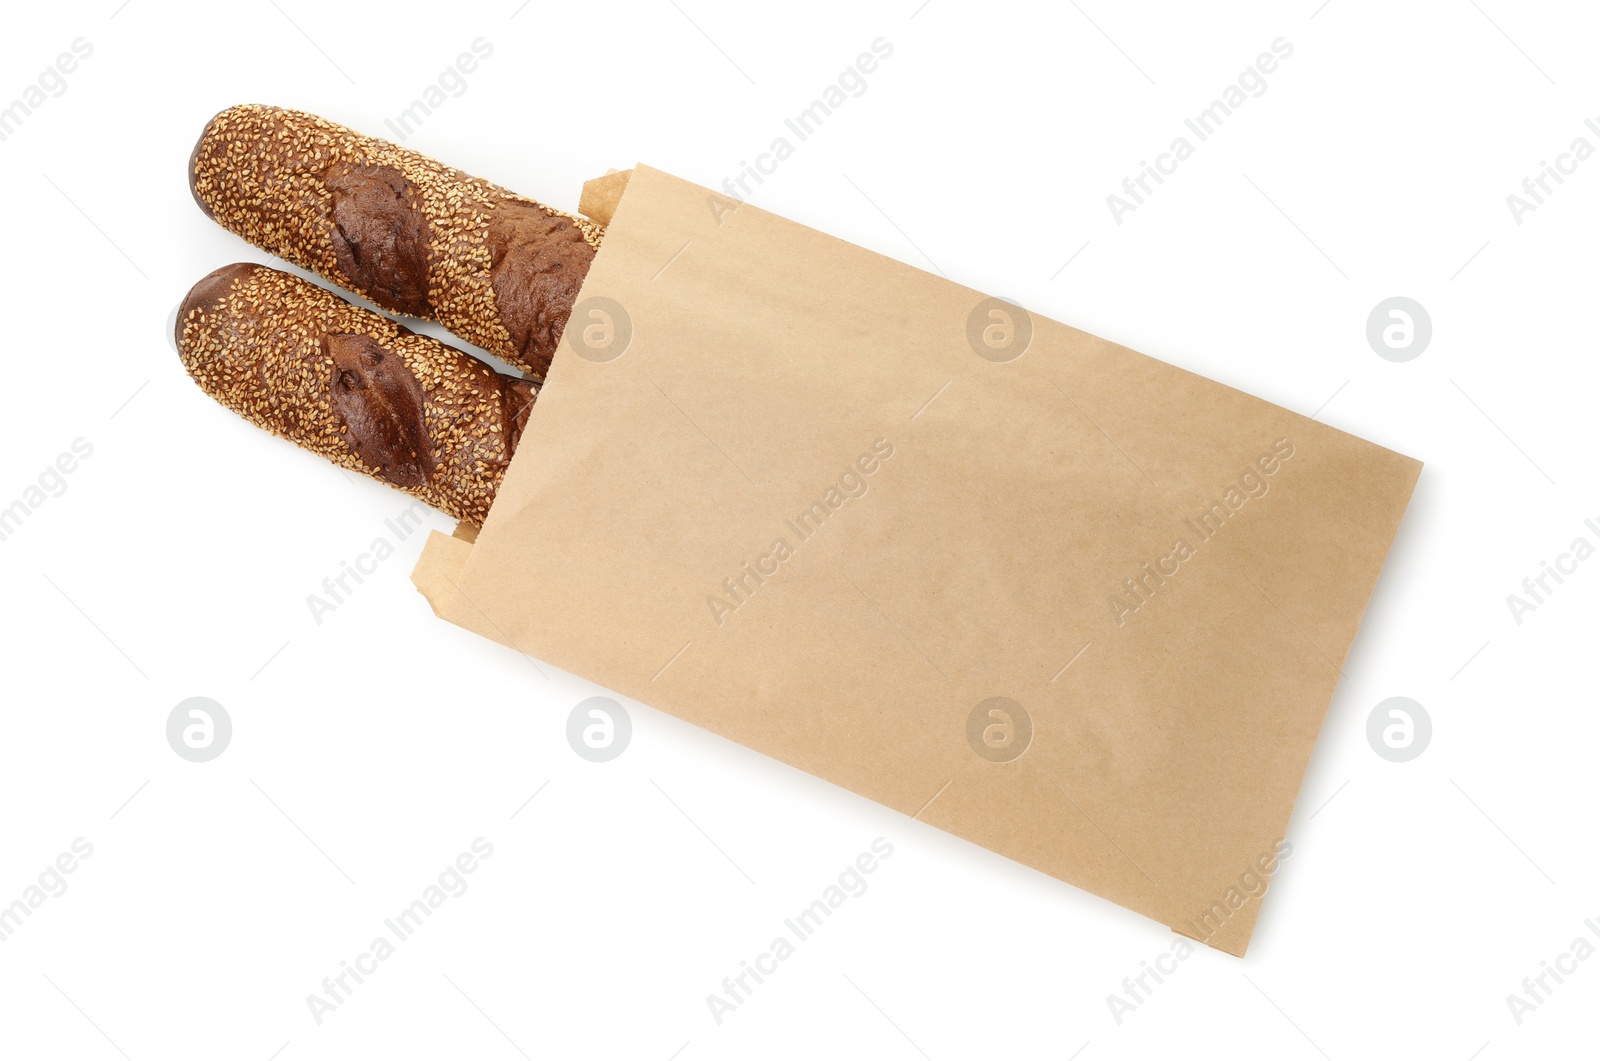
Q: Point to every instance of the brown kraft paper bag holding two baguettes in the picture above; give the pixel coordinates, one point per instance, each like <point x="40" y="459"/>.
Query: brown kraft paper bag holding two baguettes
<point x="1073" y="604"/>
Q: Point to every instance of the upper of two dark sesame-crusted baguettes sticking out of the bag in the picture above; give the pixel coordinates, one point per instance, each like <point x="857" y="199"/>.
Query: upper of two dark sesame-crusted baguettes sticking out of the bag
<point x="407" y="233"/>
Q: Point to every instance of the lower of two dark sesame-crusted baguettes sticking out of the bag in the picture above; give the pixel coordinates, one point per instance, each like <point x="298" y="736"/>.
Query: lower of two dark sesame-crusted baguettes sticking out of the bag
<point x="354" y="386"/>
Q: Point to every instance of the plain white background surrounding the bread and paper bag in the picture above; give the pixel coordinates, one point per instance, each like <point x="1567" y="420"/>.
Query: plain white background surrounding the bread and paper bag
<point x="372" y="750"/>
